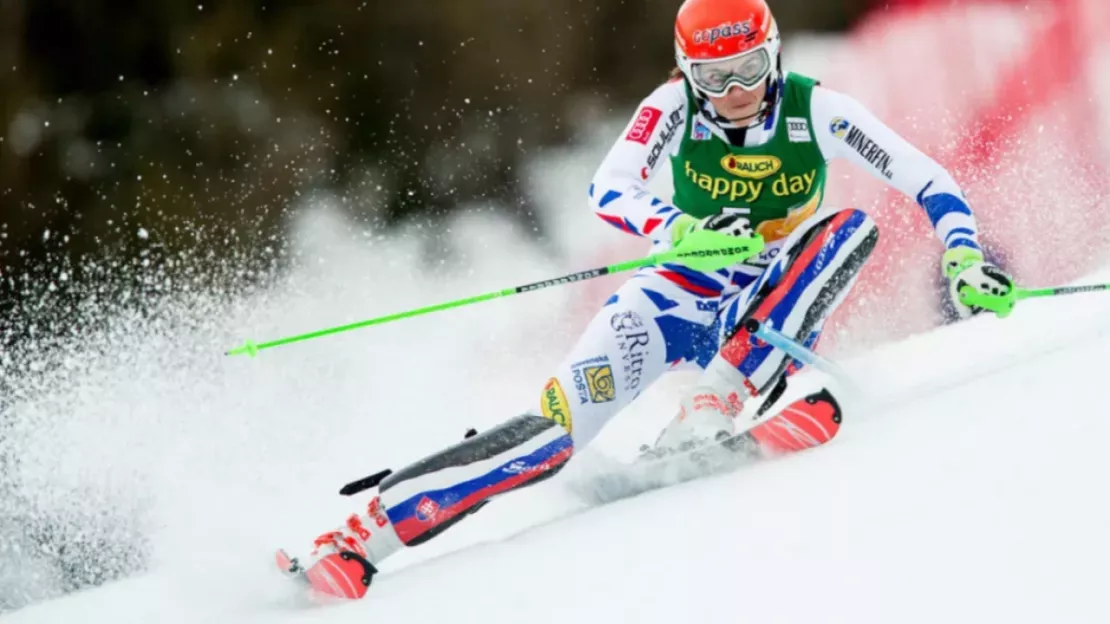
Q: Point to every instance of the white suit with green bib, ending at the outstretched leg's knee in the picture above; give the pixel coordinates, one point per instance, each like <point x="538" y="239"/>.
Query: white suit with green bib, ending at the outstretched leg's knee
<point x="668" y="317"/>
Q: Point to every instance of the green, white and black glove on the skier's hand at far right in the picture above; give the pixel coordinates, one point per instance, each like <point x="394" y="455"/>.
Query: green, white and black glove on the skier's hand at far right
<point x="975" y="285"/>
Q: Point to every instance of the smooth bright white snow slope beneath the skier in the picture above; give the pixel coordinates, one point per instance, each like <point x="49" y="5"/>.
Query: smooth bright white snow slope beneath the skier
<point x="967" y="486"/>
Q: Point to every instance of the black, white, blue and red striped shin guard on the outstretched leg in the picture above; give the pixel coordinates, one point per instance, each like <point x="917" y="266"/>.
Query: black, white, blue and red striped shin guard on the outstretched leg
<point x="433" y="495"/>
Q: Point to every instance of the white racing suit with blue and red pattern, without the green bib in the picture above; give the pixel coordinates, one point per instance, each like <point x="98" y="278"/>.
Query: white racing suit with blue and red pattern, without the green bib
<point x="683" y="317"/>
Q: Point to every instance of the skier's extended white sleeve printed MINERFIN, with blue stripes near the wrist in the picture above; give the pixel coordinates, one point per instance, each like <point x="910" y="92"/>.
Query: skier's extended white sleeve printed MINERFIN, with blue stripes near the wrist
<point x="846" y="129"/>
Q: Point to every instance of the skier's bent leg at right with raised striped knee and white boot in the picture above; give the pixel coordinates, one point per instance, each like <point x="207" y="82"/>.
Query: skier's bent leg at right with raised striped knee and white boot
<point x="798" y="291"/>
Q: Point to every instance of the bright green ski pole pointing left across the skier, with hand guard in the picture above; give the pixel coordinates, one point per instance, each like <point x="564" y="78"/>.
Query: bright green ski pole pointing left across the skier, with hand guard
<point x="703" y="250"/>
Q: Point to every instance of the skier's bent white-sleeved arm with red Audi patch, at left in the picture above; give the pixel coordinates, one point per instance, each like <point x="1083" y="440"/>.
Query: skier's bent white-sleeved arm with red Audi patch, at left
<point x="619" y="193"/>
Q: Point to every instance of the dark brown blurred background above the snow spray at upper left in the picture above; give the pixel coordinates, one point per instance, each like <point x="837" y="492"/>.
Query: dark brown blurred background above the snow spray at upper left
<point x="167" y="128"/>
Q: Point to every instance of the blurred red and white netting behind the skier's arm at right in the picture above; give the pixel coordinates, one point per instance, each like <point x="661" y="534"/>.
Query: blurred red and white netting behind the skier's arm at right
<point x="1005" y="95"/>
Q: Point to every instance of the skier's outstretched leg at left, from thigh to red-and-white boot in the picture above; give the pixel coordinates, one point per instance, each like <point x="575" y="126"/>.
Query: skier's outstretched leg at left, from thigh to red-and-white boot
<point x="654" y="320"/>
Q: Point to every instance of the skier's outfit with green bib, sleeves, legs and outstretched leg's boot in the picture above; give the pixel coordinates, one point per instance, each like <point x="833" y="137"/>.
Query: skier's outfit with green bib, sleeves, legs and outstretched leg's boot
<point x="667" y="317"/>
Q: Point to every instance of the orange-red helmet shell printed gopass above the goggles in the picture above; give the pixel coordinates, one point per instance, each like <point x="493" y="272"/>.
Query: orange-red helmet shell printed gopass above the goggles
<point x="718" y="29"/>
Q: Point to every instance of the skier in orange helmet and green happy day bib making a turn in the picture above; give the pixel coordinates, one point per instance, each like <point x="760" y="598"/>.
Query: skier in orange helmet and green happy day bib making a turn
<point x="748" y="147"/>
